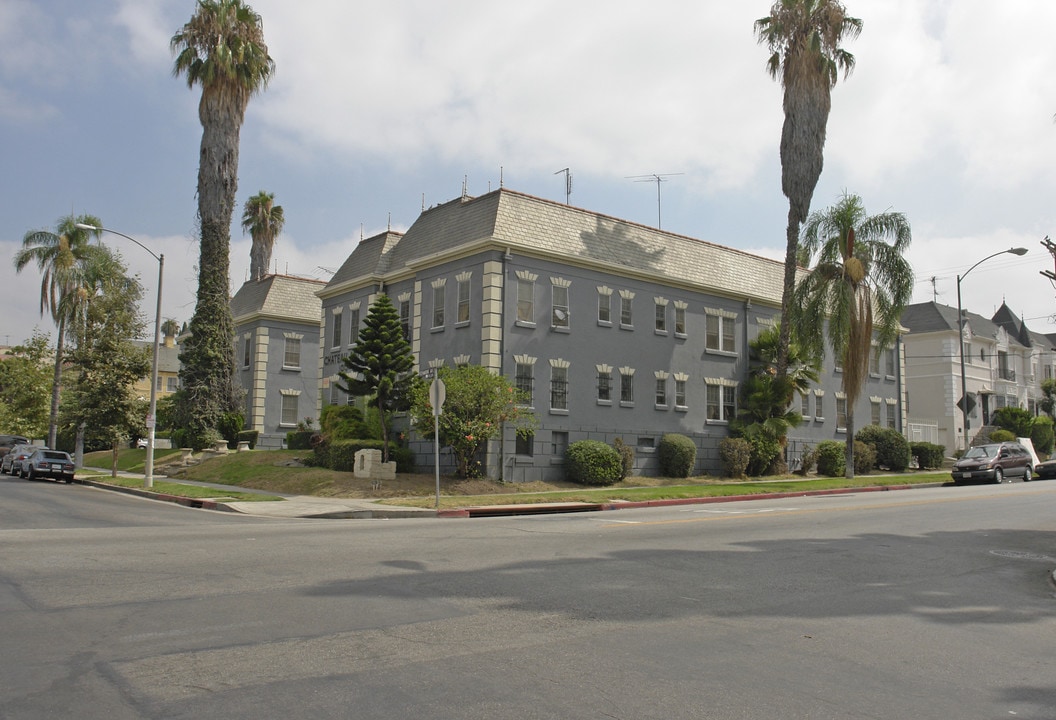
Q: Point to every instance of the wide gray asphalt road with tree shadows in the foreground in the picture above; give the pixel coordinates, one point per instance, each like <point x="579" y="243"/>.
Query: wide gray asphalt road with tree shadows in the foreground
<point x="920" y="604"/>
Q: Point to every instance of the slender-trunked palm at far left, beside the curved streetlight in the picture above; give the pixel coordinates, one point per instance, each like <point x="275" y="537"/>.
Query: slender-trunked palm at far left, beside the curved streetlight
<point x="60" y="257"/>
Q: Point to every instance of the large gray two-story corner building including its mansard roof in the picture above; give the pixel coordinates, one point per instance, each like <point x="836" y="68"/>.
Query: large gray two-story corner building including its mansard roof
<point x="616" y="330"/>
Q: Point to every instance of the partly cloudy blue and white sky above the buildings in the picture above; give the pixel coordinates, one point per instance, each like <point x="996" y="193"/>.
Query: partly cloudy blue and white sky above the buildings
<point x="379" y="109"/>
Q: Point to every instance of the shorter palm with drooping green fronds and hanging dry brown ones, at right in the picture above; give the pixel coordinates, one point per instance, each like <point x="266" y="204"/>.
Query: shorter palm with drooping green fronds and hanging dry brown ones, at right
<point x="860" y="283"/>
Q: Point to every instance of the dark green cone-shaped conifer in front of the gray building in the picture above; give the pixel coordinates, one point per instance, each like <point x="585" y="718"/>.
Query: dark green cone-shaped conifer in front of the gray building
<point x="381" y="367"/>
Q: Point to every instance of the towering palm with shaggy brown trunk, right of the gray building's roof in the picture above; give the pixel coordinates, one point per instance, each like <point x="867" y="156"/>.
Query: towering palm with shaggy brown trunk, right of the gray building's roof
<point x="804" y="39"/>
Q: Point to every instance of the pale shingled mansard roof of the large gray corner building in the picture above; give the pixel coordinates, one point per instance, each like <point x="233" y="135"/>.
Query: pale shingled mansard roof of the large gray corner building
<point x="506" y="219"/>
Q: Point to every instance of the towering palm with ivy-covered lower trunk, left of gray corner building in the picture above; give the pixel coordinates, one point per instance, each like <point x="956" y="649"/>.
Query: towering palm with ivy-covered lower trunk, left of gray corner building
<point x="222" y="50"/>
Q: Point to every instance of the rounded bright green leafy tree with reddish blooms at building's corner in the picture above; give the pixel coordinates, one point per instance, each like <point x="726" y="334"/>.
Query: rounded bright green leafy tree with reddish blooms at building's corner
<point x="479" y="404"/>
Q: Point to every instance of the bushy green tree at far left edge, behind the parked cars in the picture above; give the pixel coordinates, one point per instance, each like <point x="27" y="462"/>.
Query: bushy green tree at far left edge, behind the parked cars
<point x="26" y="386"/>
